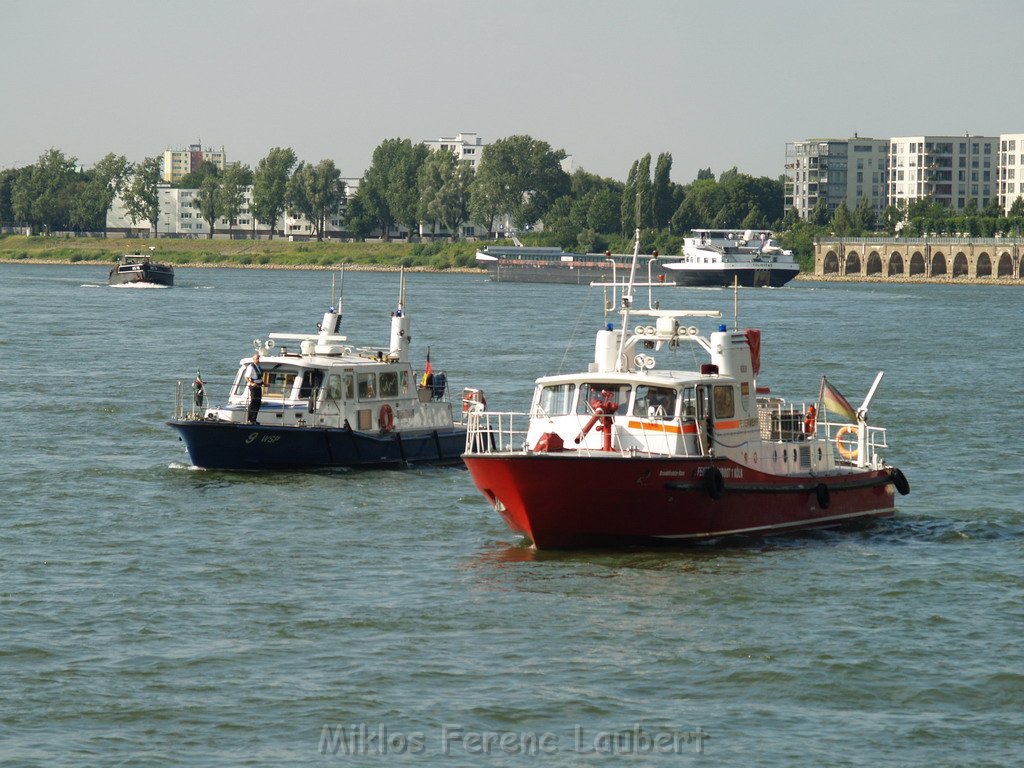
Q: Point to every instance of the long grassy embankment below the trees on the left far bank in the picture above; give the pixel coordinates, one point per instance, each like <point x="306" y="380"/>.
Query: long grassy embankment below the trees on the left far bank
<point x="243" y="253"/>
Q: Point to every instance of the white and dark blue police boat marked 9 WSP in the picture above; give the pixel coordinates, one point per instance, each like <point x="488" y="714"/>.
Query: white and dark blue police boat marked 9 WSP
<point x="328" y="404"/>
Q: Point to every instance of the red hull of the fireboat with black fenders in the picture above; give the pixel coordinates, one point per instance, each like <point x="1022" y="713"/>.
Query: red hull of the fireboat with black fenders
<point x="562" y="501"/>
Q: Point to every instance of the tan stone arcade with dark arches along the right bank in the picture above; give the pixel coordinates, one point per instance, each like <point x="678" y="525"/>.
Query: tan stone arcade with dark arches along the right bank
<point x="927" y="259"/>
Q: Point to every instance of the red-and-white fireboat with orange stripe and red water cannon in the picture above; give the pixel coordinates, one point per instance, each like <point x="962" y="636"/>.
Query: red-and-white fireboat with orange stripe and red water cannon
<point x="630" y="453"/>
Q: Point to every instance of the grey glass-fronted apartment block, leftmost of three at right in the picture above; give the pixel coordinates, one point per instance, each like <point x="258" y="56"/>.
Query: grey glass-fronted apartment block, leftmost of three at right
<point x="836" y="170"/>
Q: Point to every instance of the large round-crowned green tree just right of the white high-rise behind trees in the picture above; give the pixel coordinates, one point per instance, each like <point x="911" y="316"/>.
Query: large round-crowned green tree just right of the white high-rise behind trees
<point x="522" y="177"/>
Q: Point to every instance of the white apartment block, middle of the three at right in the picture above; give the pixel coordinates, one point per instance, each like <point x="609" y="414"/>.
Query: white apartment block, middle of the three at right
<point x="951" y="170"/>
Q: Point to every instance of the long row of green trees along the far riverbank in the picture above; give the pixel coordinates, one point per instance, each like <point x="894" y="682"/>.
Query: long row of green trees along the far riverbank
<point x="406" y="190"/>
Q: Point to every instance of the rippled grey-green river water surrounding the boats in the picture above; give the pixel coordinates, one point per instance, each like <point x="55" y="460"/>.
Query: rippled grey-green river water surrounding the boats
<point x="153" y="615"/>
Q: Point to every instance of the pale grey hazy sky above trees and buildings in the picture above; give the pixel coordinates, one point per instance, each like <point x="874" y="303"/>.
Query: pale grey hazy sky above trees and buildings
<point x="717" y="83"/>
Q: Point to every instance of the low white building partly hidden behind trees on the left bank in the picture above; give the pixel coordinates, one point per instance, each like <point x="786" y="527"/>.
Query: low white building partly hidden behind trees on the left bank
<point x="180" y="219"/>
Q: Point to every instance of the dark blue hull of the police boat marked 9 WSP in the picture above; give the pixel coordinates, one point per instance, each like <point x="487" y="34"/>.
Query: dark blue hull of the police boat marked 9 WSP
<point x="215" y="445"/>
